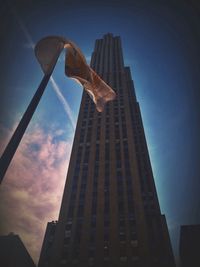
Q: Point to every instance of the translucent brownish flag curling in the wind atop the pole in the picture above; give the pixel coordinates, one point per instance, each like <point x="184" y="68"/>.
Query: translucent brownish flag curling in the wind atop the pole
<point x="47" y="52"/>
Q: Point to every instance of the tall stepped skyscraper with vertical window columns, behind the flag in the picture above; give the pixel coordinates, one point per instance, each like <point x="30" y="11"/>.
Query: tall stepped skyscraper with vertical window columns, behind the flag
<point x="110" y="214"/>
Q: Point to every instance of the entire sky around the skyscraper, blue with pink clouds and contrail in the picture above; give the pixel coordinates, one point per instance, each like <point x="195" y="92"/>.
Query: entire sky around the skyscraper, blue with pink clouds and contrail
<point x="160" y="41"/>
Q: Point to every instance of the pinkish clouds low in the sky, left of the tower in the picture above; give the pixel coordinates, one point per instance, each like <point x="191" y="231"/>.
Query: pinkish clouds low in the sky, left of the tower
<point x="31" y="192"/>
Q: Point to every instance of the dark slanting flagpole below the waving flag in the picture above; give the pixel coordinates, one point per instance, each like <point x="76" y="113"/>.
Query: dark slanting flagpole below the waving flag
<point x="21" y="128"/>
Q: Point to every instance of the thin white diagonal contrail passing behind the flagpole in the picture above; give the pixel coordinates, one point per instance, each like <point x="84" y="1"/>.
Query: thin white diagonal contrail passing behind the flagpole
<point x="55" y="86"/>
